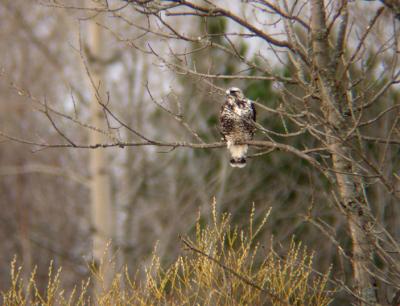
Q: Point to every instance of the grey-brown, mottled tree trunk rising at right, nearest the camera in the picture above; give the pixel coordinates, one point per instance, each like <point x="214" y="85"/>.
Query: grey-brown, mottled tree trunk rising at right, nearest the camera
<point x="333" y="102"/>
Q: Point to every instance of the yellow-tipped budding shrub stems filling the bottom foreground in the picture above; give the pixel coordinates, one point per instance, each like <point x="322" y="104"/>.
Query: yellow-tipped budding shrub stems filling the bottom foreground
<point x="222" y="265"/>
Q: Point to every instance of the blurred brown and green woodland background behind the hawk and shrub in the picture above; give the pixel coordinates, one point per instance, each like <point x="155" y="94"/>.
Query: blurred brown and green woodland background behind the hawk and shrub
<point x="164" y="67"/>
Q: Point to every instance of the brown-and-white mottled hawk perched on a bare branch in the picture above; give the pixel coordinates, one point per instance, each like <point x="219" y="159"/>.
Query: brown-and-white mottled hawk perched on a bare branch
<point x="237" y="124"/>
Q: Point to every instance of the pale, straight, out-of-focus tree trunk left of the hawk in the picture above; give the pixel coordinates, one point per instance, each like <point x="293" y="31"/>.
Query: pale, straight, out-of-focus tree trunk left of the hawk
<point x="102" y="212"/>
